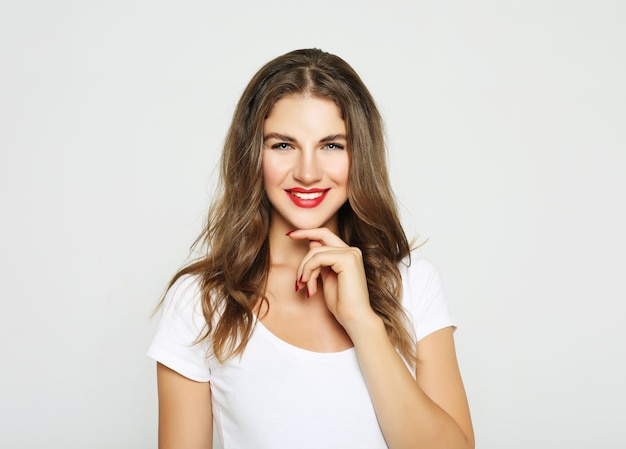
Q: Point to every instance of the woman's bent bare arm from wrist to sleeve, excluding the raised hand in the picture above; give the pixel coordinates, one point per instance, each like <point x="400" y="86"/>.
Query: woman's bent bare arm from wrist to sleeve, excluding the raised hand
<point x="430" y="411"/>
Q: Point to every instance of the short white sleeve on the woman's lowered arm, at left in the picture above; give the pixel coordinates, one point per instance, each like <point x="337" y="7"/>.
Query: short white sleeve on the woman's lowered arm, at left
<point x="181" y="323"/>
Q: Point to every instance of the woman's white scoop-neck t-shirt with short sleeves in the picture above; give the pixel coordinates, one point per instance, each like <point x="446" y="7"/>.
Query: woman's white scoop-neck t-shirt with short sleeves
<point x="277" y="395"/>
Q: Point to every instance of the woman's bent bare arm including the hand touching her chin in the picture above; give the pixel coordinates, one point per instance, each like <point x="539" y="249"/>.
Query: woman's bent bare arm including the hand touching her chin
<point x="428" y="412"/>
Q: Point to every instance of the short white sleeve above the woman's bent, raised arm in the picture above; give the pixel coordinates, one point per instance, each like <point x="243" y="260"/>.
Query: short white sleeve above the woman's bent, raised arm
<point x="423" y="297"/>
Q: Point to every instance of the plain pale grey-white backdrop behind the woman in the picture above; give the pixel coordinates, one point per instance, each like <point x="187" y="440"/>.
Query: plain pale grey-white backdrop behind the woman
<point x="507" y="146"/>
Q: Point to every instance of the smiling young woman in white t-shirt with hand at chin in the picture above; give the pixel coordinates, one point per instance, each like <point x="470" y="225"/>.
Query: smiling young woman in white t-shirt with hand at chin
<point x="307" y="323"/>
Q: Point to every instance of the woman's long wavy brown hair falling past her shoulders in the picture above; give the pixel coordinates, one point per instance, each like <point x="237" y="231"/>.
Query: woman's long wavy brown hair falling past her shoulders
<point x="234" y="262"/>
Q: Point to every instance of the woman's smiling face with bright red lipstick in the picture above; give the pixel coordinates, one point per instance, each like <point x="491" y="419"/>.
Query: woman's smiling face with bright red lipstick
<point x="305" y="162"/>
